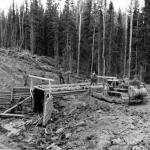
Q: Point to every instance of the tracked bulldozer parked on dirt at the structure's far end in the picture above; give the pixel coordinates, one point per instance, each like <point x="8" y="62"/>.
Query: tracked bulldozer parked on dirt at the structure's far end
<point x="122" y="91"/>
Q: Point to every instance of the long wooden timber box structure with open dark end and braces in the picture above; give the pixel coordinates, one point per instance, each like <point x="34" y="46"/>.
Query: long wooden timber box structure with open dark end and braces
<point x="39" y="97"/>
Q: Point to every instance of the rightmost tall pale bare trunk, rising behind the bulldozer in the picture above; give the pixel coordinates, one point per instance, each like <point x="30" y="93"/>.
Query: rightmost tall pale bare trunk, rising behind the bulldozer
<point x="130" y="42"/>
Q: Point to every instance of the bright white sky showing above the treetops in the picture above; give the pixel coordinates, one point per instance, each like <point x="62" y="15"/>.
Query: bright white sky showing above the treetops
<point x="122" y="4"/>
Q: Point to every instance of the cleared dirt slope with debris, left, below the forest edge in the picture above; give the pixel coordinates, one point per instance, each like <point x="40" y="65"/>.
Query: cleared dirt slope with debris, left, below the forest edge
<point x="13" y="64"/>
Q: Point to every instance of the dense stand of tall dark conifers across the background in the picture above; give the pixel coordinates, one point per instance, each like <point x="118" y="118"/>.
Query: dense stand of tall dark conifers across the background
<point x="83" y="37"/>
